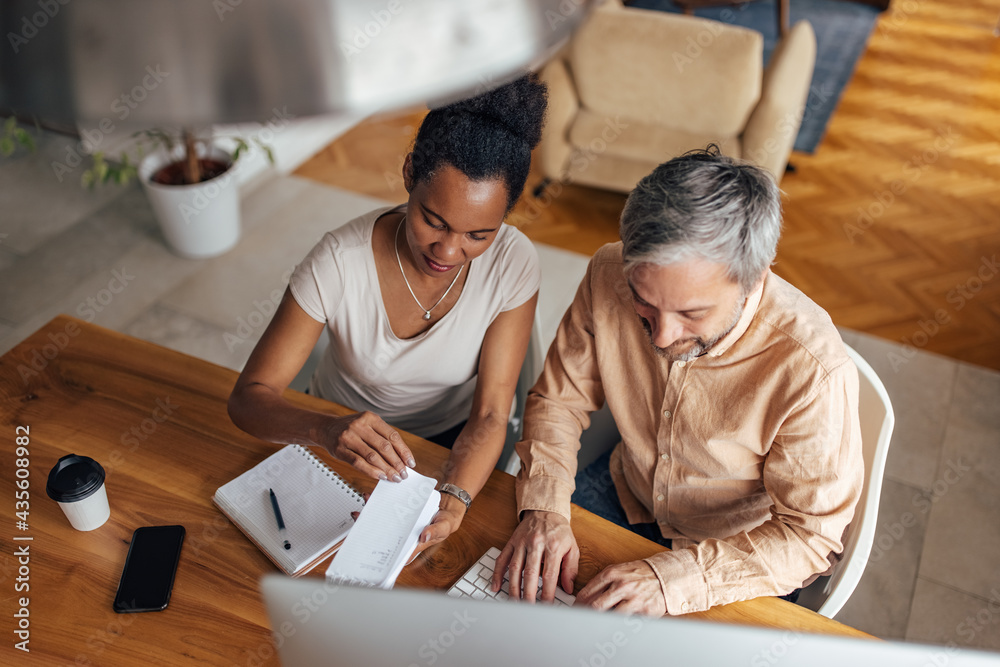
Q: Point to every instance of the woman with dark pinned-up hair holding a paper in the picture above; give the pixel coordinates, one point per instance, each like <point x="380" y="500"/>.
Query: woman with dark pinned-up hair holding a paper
<point x="428" y="307"/>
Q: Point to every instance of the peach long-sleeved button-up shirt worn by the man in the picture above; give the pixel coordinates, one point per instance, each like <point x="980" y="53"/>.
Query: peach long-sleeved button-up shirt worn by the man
<point x="748" y="457"/>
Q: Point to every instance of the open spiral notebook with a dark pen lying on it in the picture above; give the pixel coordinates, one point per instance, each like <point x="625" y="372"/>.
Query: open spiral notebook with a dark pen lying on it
<point x="316" y="505"/>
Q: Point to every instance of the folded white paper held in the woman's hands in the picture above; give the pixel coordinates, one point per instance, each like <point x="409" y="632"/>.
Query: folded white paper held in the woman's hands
<point x="386" y="532"/>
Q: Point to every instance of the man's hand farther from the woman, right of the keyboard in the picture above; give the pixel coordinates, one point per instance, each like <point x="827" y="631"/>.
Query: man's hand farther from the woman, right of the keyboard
<point x="631" y="588"/>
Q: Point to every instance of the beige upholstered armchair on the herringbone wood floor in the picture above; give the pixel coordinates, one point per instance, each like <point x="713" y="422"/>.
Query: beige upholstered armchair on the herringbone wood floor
<point x="636" y="87"/>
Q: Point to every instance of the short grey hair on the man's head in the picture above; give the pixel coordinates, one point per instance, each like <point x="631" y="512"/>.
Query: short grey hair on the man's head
<point x="704" y="205"/>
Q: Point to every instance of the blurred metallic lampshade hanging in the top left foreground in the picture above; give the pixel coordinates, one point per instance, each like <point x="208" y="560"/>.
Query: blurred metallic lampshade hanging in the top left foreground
<point x="199" y="62"/>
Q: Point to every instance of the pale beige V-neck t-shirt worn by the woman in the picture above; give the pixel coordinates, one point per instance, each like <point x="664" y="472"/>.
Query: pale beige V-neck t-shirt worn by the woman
<point x="424" y="384"/>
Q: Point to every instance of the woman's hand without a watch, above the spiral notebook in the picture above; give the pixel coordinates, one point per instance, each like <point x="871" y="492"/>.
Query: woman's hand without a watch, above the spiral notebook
<point x="369" y="444"/>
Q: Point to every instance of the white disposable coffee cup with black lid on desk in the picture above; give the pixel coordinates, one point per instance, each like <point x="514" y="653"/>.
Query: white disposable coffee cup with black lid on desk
<point x="77" y="484"/>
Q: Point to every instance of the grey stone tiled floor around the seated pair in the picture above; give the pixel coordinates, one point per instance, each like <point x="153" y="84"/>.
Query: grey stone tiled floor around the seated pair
<point x="934" y="575"/>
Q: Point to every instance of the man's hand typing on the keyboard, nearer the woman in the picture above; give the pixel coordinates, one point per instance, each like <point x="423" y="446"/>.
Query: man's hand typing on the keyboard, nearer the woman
<point x="542" y="543"/>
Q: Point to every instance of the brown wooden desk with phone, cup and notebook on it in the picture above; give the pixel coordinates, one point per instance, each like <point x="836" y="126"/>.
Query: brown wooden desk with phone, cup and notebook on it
<point x="156" y="420"/>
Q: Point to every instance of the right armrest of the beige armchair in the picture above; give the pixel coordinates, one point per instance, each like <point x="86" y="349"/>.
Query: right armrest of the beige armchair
<point x="771" y="129"/>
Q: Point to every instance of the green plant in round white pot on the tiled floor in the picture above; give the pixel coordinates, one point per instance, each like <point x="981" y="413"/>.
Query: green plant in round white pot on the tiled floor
<point x="190" y="185"/>
